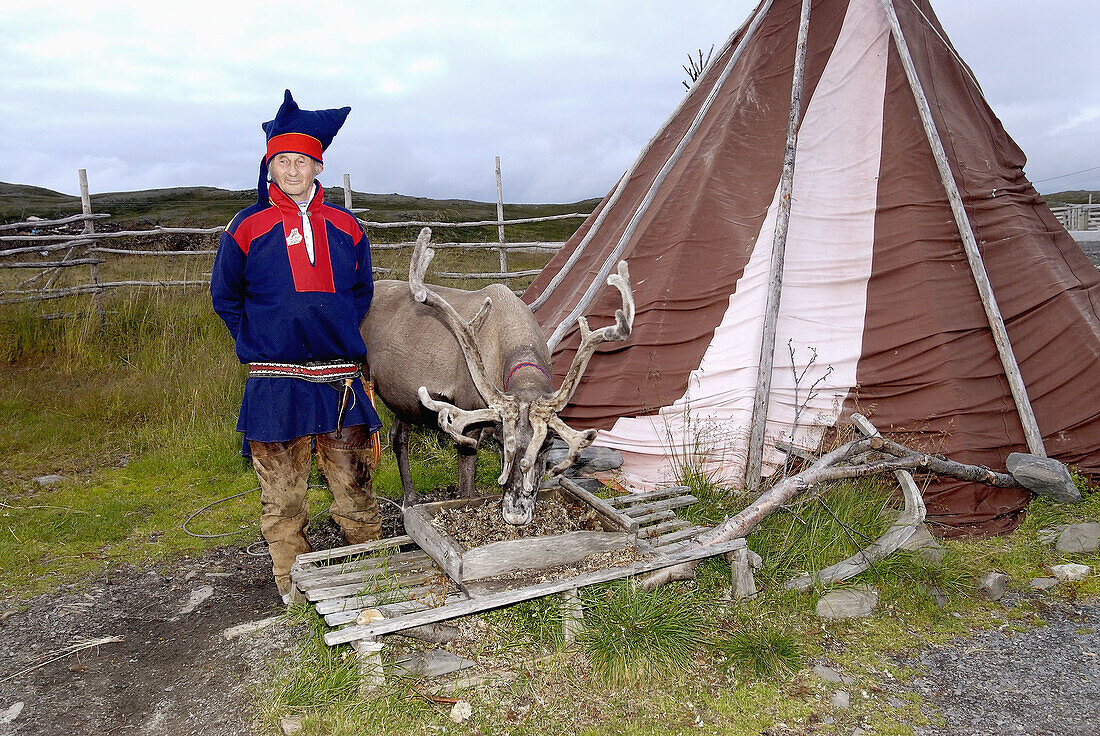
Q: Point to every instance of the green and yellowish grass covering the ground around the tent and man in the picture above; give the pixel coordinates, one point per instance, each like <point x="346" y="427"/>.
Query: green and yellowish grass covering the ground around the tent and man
<point x="135" y="408"/>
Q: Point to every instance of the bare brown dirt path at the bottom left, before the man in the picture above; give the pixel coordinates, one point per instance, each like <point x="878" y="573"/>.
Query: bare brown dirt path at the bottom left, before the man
<point x="172" y="674"/>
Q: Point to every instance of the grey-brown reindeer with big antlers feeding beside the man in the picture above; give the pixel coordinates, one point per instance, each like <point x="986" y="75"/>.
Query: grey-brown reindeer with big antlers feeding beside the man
<point x="477" y="364"/>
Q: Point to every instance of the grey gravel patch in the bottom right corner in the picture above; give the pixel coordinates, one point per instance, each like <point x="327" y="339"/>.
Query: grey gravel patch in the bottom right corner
<point x="1041" y="683"/>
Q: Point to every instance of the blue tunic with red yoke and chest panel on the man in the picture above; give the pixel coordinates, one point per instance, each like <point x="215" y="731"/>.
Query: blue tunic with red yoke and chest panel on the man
<point x="281" y="307"/>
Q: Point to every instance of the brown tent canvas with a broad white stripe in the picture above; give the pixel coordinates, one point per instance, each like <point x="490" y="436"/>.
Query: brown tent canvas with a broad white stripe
<point x="879" y="306"/>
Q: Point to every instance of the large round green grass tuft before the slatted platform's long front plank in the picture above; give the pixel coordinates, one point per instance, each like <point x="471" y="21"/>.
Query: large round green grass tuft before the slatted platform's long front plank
<point x="631" y="631"/>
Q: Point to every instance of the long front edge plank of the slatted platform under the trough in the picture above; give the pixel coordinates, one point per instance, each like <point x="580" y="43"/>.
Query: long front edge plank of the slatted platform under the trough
<point x="509" y="598"/>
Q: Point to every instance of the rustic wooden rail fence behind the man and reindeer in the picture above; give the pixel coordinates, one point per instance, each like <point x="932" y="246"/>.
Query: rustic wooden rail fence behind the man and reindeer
<point x="50" y="254"/>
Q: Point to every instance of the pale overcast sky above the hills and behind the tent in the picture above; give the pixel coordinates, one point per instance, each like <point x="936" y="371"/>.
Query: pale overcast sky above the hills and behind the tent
<point x="148" y="95"/>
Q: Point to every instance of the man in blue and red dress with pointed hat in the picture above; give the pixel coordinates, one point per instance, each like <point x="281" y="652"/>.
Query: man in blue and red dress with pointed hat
<point x="293" y="282"/>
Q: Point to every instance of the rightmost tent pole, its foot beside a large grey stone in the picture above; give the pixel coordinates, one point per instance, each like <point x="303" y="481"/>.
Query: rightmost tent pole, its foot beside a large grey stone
<point x="1032" y="434"/>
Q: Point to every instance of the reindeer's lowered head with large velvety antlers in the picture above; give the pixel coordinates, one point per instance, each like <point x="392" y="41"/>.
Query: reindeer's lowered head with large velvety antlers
<point x="522" y="419"/>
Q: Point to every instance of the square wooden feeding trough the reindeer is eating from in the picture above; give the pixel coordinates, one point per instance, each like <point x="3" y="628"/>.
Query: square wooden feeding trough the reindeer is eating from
<point x="609" y="530"/>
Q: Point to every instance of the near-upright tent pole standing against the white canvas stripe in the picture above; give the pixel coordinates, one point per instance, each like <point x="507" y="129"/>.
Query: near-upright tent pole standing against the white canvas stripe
<point x="754" y="466"/>
